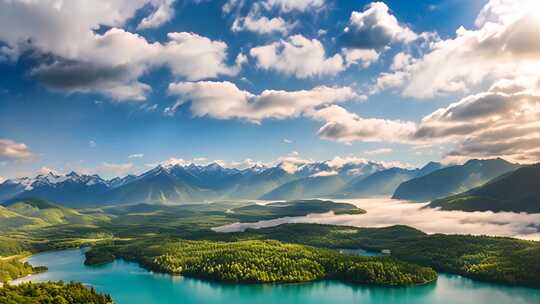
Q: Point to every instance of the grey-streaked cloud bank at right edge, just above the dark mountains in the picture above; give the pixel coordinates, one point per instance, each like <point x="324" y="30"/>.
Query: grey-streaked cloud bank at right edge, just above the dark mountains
<point x="503" y="121"/>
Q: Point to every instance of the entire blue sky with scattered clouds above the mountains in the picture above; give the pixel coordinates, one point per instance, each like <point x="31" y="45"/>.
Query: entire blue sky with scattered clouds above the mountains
<point x="116" y="87"/>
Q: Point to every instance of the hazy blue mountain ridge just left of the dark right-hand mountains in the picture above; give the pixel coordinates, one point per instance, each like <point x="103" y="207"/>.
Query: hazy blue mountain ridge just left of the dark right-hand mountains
<point x="383" y="183"/>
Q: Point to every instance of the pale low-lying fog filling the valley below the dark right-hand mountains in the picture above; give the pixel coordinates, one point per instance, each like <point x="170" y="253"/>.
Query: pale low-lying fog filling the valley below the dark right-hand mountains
<point x="386" y="212"/>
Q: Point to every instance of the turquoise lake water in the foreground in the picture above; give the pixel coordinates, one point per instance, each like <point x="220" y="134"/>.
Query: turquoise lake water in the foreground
<point x="130" y="284"/>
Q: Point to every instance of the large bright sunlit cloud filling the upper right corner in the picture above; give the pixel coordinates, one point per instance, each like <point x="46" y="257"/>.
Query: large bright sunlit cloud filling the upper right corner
<point x="503" y="44"/>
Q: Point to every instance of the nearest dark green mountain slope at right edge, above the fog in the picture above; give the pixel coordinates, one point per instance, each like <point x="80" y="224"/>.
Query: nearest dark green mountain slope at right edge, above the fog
<point x="517" y="191"/>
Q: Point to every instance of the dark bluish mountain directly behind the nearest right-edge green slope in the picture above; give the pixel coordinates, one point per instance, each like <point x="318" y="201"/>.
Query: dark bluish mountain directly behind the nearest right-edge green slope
<point x="452" y="180"/>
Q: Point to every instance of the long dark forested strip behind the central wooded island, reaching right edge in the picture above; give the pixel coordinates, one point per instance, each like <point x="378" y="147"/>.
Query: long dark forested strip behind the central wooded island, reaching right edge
<point x="491" y="259"/>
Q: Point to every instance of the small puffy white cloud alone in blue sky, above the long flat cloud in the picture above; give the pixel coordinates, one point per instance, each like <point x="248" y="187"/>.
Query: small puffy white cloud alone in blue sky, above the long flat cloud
<point x="298" y="56"/>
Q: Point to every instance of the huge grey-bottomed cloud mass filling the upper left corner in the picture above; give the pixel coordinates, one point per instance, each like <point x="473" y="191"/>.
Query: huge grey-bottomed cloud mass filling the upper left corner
<point x="73" y="57"/>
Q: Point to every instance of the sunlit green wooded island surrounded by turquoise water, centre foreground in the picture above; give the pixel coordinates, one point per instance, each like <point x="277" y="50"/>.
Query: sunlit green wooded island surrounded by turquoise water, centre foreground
<point x="261" y="262"/>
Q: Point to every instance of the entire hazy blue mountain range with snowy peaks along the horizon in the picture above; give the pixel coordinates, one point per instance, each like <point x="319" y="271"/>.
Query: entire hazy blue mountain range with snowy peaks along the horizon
<point x="196" y="183"/>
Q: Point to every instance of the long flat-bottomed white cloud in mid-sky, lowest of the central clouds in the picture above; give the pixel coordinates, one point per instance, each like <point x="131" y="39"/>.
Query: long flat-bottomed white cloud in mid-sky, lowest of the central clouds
<point x="224" y="100"/>
